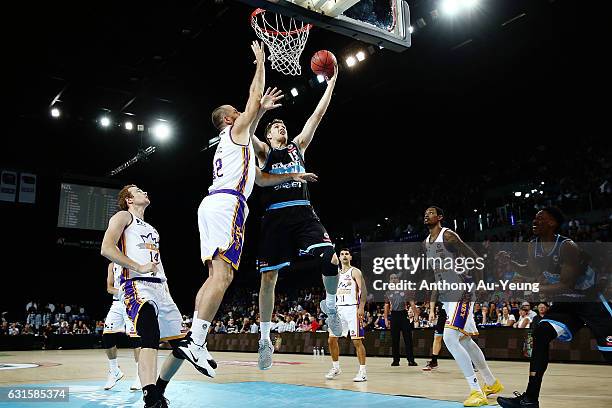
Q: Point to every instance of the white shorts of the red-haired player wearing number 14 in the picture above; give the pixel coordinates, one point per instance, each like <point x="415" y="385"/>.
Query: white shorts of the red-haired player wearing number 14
<point x="138" y="291"/>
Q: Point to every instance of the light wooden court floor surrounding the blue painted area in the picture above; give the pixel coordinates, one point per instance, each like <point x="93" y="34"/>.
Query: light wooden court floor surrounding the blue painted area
<point x="565" y="385"/>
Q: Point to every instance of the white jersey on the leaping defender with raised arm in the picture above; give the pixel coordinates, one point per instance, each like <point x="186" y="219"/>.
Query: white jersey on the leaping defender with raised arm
<point x="233" y="165"/>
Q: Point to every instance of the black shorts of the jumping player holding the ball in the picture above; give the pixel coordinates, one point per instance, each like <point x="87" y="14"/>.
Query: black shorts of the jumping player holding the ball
<point x="287" y="233"/>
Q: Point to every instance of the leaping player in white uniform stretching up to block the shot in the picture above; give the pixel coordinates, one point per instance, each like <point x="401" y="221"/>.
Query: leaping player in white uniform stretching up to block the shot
<point x="223" y="212"/>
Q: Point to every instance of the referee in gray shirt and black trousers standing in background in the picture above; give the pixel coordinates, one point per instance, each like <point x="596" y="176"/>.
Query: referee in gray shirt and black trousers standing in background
<point x="396" y="302"/>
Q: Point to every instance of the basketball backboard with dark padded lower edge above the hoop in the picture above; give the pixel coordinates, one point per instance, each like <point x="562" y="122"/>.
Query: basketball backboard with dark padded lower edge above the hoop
<point x="343" y="25"/>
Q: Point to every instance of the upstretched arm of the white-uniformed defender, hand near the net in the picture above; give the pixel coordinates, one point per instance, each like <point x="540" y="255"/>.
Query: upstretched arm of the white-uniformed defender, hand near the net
<point x="242" y="125"/>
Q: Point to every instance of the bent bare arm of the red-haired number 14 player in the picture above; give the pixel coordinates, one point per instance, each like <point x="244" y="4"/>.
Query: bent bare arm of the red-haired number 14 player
<point x="110" y="251"/>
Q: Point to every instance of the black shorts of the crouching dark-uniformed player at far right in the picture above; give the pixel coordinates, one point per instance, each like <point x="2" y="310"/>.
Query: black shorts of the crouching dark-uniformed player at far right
<point x="597" y="316"/>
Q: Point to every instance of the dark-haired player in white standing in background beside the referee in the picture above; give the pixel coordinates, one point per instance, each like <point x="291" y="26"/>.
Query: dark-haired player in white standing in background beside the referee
<point x="350" y="300"/>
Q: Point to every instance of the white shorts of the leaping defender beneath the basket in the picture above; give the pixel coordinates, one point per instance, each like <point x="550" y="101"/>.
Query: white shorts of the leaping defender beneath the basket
<point x="221" y="221"/>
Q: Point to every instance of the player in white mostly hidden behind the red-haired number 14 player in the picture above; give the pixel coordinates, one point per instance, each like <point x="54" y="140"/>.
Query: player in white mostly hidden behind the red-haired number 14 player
<point x="117" y="321"/>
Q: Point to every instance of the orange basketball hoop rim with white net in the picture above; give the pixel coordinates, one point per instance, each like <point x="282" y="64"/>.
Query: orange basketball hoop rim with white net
<point x="285" y="38"/>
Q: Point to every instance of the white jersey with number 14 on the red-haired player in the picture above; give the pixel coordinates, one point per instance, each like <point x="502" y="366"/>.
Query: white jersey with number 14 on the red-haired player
<point x="140" y="243"/>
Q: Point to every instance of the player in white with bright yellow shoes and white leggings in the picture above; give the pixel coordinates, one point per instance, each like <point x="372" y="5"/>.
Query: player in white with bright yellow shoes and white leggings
<point x="460" y="325"/>
